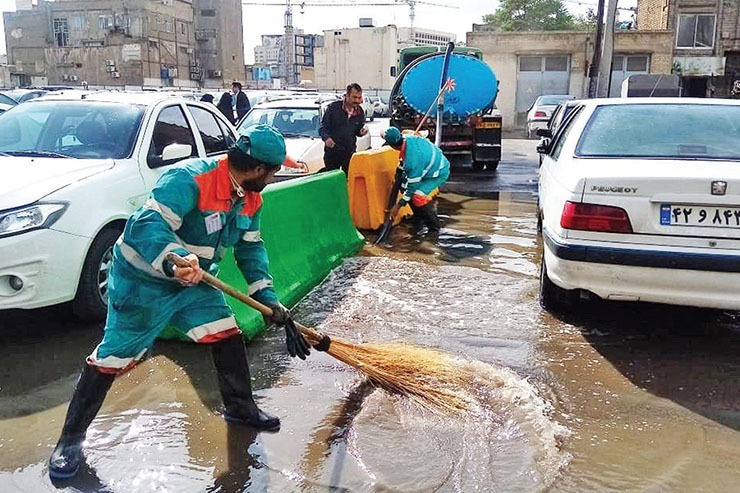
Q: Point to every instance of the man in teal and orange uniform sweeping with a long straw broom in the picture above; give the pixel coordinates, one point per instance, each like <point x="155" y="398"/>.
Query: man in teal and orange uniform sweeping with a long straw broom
<point x="197" y="209"/>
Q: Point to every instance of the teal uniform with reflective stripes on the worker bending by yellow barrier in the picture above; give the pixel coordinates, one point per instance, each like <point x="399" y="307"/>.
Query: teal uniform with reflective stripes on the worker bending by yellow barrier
<point x="426" y="169"/>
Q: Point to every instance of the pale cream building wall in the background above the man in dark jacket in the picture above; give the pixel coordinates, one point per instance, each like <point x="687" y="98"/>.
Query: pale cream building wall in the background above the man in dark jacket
<point x="362" y="55"/>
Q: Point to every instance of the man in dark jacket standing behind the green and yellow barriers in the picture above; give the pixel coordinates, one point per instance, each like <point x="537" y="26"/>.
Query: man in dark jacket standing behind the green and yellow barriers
<point x="342" y="123"/>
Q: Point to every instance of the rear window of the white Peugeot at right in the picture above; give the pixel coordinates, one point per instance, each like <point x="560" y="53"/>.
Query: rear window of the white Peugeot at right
<point x="665" y="131"/>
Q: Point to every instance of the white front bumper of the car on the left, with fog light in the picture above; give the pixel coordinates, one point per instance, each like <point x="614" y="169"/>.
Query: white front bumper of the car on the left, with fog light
<point x="47" y="261"/>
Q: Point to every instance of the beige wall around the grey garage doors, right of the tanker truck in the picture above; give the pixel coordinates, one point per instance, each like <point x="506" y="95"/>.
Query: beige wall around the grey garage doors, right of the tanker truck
<point x="501" y="50"/>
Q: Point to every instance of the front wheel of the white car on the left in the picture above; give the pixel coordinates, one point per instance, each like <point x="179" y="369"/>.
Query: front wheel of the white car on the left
<point x="91" y="302"/>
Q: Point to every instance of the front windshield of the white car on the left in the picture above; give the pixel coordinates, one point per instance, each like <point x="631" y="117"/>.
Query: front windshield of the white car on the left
<point x="78" y="129"/>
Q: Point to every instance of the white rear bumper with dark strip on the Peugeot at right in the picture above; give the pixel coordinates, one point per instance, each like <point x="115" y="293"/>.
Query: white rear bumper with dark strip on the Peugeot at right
<point x="677" y="278"/>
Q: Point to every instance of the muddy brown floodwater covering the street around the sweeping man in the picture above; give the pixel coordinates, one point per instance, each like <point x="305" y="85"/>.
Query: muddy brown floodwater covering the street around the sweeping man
<point x="616" y="397"/>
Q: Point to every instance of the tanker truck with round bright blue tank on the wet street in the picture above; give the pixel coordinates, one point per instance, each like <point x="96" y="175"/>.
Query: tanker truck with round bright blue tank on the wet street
<point x="476" y="133"/>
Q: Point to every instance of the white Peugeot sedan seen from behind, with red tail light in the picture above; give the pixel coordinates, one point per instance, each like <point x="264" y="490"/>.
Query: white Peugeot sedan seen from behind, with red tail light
<point x="639" y="199"/>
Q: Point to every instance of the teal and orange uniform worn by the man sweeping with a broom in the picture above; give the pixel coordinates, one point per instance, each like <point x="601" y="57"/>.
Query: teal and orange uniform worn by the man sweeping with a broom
<point x="191" y="210"/>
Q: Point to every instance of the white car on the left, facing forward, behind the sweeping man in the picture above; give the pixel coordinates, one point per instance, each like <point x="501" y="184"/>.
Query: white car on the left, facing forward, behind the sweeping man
<point x="72" y="170"/>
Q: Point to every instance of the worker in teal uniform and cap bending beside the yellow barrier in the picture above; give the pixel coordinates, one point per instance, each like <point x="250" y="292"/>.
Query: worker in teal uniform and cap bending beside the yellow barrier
<point x="425" y="168"/>
